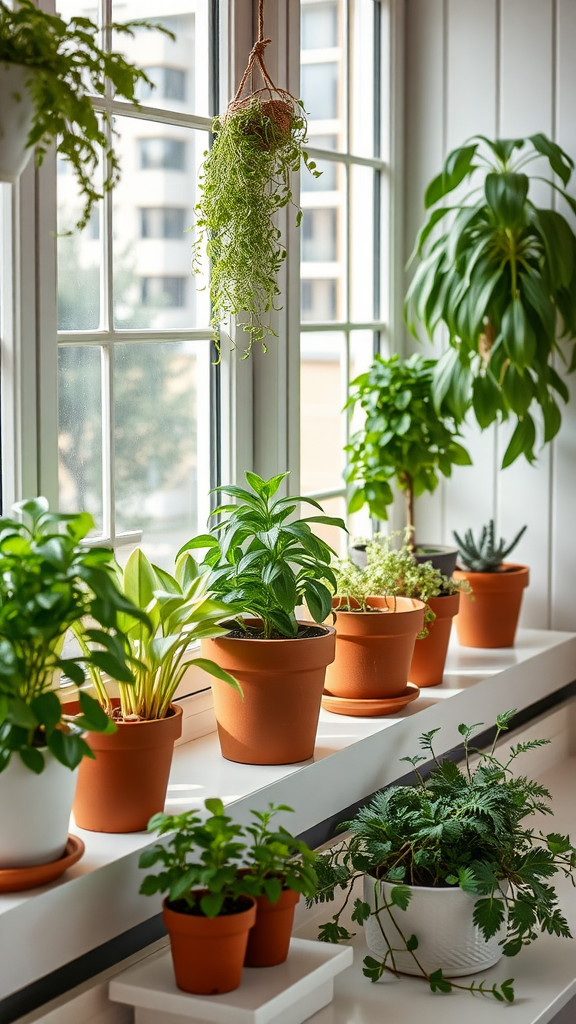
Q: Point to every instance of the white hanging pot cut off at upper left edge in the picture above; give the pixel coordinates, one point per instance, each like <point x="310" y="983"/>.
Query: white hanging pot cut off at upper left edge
<point x="16" y="120"/>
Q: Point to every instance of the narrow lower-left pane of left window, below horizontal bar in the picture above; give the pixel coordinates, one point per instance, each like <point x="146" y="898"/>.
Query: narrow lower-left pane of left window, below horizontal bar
<point x="80" y="431"/>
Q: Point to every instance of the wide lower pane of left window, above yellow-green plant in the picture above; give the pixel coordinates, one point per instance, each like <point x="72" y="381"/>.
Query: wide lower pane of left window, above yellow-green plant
<point x="159" y="483"/>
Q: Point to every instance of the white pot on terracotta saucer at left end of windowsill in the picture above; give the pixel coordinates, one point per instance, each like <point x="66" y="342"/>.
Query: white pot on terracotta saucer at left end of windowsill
<point x="34" y="813"/>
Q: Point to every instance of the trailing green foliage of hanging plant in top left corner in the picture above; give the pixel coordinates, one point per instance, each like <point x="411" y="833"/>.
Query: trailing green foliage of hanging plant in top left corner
<point x="66" y="66"/>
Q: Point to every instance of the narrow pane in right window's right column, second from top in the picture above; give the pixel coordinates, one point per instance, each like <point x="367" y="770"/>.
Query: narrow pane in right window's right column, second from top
<point x="362" y="244"/>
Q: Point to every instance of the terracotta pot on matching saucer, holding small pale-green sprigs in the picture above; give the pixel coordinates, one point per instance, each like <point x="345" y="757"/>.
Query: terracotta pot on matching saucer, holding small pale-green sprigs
<point x="375" y="649"/>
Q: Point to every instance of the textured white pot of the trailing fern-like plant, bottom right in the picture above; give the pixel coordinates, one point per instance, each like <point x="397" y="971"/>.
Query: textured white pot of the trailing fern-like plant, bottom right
<point x="442" y="921"/>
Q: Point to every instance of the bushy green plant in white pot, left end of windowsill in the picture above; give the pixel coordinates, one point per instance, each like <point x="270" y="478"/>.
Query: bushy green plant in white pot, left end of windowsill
<point x="50" y="582"/>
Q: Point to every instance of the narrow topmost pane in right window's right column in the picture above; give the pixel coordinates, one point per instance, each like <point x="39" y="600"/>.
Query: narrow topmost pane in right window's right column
<point x="364" y="84"/>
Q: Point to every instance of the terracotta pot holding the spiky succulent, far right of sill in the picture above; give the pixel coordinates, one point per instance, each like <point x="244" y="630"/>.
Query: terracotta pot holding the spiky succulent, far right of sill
<point x="488" y="617"/>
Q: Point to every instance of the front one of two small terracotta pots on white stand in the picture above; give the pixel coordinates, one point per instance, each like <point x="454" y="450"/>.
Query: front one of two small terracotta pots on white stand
<point x="209" y="953"/>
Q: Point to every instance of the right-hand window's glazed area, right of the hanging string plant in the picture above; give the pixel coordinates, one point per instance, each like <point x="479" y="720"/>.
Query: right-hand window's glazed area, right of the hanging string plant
<point x="343" y="295"/>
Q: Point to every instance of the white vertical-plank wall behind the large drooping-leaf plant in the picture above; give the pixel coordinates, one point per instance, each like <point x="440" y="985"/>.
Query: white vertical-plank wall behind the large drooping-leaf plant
<point x="500" y="68"/>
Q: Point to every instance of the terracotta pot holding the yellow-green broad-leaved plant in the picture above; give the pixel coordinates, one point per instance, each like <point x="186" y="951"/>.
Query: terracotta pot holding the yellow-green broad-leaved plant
<point x="127" y="784"/>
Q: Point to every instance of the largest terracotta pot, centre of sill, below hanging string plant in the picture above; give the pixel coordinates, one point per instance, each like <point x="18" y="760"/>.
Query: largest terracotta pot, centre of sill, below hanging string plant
<point x="282" y="681"/>
